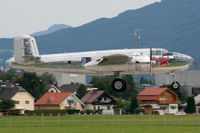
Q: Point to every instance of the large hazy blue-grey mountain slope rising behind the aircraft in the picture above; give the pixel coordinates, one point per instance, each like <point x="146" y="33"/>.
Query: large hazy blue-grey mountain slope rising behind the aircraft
<point x="171" y="24"/>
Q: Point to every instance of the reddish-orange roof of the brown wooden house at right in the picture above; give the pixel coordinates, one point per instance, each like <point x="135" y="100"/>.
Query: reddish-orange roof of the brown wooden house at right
<point x="152" y="91"/>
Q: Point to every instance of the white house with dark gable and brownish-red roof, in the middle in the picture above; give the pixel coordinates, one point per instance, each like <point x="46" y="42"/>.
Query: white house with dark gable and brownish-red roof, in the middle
<point x="96" y="100"/>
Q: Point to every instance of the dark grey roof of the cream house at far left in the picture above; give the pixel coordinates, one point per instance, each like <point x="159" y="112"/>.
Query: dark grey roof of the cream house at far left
<point x="7" y="92"/>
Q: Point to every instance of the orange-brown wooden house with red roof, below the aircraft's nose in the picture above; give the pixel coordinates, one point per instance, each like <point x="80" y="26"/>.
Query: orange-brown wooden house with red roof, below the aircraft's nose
<point x="158" y="101"/>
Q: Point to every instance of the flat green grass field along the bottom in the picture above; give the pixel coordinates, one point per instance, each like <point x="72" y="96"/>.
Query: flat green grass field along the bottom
<point x="100" y="124"/>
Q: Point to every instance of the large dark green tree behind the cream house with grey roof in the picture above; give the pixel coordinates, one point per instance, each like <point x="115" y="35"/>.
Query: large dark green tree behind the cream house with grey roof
<point x="33" y="84"/>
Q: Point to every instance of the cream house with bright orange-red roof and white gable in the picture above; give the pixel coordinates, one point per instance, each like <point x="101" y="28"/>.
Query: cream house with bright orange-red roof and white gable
<point x="59" y="100"/>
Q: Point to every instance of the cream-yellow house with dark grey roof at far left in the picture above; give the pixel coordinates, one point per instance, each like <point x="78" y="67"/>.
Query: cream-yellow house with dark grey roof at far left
<point x="23" y="99"/>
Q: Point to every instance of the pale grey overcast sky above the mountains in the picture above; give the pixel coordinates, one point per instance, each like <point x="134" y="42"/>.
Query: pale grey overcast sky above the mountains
<point x="29" y="16"/>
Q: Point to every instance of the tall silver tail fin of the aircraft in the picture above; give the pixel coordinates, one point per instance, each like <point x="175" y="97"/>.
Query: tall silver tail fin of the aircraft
<point x="25" y="49"/>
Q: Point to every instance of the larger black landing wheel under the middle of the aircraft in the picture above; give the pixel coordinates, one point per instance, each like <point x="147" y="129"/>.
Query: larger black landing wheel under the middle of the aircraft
<point x="119" y="85"/>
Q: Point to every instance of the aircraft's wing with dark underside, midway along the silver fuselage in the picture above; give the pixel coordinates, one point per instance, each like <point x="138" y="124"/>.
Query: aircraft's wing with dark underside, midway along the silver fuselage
<point x="110" y="60"/>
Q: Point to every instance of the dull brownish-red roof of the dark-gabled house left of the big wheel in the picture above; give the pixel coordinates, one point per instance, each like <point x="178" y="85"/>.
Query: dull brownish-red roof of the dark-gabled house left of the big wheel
<point x="91" y="96"/>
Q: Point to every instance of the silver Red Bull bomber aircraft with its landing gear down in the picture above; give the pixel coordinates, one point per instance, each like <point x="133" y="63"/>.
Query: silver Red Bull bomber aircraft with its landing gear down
<point x="103" y="62"/>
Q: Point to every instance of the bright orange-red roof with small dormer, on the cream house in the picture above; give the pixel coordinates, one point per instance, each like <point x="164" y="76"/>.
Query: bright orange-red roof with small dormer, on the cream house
<point x="50" y="98"/>
